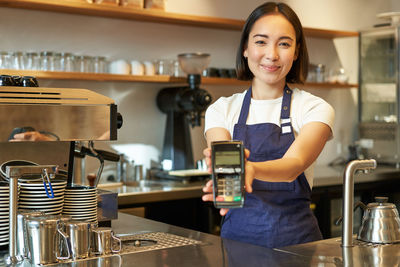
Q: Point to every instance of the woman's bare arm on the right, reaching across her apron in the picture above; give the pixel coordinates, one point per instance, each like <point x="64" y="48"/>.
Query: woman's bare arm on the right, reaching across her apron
<point x="301" y="154"/>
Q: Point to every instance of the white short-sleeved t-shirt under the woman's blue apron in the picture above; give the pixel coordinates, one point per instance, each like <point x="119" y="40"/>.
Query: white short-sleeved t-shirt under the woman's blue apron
<point x="305" y="108"/>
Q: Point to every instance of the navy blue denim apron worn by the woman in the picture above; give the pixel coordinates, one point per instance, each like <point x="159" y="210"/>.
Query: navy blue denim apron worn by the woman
<point x="274" y="214"/>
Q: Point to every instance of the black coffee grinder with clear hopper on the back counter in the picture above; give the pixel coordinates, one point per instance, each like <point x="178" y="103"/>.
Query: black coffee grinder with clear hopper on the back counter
<point x="184" y="107"/>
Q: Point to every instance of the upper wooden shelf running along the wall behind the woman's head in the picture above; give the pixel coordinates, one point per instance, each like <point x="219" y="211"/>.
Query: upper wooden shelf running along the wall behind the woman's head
<point x="113" y="11"/>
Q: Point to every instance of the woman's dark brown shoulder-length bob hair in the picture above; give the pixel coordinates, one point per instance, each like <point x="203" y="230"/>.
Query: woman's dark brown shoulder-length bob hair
<point x="298" y="72"/>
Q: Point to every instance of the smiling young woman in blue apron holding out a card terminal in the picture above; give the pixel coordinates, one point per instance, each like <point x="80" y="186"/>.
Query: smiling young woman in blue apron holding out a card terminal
<point x="283" y="129"/>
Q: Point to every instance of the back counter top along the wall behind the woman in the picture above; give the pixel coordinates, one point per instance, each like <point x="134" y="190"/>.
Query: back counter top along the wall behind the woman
<point x="164" y="190"/>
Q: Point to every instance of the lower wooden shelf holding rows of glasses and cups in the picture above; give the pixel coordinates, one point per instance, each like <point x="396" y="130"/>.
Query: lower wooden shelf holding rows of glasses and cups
<point x="105" y="77"/>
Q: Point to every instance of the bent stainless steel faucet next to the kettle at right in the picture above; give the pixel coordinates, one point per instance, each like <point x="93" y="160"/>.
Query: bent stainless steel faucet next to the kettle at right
<point x="348" y="196"/>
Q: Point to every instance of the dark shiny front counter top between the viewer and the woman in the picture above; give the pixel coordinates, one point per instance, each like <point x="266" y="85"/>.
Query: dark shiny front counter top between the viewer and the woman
<point x="214" y="251"/>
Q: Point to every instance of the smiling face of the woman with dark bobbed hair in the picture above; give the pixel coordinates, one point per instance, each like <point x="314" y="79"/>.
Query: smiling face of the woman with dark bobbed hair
<point x="271" y="49"/>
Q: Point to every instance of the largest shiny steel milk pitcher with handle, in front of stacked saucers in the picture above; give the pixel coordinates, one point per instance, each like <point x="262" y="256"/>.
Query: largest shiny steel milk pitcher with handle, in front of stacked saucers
<point x="43" y="234"/>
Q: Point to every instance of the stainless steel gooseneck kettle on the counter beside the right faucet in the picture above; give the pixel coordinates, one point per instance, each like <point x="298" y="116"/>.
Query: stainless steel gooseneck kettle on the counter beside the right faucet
<point x="380" y="223"/>
